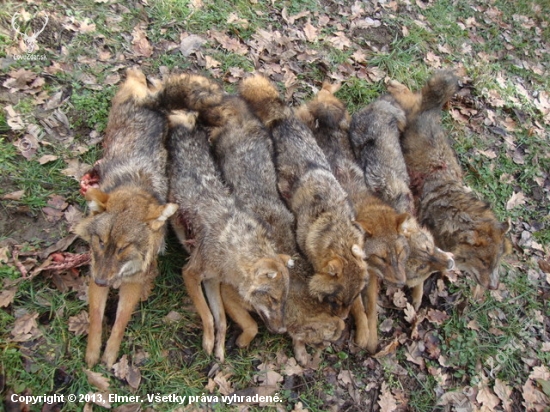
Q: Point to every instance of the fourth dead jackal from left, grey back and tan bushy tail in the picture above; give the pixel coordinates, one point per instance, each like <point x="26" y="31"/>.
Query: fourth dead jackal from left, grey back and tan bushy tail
<point x="326" y="231"/>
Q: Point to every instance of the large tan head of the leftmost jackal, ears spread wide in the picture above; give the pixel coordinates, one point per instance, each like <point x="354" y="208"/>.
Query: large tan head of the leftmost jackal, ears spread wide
<point x="125" y="231"/>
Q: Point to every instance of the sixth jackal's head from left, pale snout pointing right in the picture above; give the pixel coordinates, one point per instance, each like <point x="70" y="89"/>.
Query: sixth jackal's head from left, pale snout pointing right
<point x="425" y="258"/>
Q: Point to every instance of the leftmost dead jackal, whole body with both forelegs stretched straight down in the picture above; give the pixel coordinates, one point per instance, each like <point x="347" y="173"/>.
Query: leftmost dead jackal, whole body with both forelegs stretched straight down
<point x="128" y="211"/>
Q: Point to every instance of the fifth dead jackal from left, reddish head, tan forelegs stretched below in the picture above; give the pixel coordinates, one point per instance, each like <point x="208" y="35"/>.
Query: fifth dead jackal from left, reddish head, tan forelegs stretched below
<point x="386" y="248"/>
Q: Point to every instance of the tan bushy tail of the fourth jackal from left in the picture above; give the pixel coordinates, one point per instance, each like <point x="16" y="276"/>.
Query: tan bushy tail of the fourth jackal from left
<point x="263" y="99"/>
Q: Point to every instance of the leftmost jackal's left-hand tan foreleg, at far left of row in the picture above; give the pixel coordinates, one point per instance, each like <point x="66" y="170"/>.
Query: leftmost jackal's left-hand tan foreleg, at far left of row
<point x="97" y="297"/>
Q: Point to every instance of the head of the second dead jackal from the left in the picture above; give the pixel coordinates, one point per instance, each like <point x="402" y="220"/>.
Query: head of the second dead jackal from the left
<point x="268" y="291"/>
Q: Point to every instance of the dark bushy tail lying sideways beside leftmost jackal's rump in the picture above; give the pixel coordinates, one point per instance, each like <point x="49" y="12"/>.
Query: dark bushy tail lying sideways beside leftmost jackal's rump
<point x="189" y="92"/>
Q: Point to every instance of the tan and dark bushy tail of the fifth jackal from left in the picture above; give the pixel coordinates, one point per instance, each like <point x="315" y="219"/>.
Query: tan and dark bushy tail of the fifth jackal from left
<point x="325" y="110"/>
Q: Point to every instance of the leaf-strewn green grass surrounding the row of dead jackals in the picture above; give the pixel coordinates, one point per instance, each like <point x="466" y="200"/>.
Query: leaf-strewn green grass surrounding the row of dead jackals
<point x="481" y="339"/>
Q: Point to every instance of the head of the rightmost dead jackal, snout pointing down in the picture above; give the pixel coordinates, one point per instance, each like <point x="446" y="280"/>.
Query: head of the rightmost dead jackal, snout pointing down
<point x="480" y="250"/>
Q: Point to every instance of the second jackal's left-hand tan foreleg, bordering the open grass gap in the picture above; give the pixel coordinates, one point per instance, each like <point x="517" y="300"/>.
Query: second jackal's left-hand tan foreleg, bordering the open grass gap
<point x="192" y="280"/>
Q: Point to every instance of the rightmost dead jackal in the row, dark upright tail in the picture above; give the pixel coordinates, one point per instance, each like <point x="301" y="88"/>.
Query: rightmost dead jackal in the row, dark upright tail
<point x="460" y="222"/>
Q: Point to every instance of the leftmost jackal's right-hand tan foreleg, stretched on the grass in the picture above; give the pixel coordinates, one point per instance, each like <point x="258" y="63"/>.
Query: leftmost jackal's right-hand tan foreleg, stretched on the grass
<point x="128" y="297"/>
